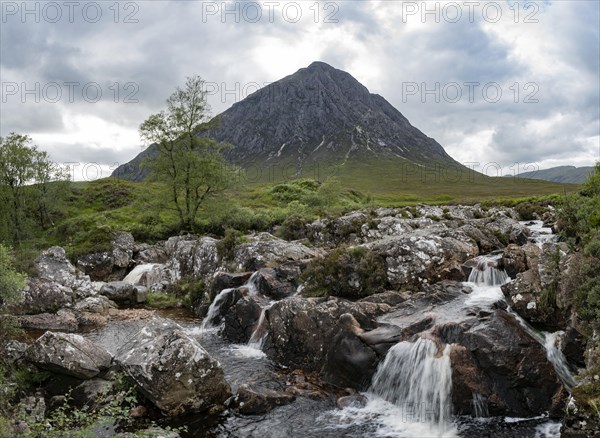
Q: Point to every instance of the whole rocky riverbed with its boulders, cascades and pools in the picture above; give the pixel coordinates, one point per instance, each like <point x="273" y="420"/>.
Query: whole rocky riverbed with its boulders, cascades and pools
<point x="463" y="339"/>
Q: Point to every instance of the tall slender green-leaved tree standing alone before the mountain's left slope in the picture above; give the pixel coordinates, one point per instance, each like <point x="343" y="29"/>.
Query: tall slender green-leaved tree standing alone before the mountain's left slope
<point x="193" y="167"/>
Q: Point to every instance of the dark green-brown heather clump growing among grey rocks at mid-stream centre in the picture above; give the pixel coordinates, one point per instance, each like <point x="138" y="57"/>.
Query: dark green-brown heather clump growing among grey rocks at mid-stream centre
<point x="348" y="272"/>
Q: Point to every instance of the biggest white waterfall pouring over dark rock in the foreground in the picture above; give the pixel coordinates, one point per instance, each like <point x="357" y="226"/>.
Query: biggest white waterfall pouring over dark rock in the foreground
<point x="417" y="380"/>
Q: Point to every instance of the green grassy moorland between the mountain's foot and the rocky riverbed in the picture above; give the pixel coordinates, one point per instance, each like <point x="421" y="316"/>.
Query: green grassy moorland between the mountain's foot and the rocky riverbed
<point x="95" y="209"/>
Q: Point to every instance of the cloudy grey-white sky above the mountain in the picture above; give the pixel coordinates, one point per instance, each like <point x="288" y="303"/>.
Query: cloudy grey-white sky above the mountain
<point x="492" y="82"/>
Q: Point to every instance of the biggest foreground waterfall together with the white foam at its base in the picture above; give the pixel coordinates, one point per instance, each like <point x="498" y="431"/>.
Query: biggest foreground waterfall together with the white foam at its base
<point x="410" y="395"/>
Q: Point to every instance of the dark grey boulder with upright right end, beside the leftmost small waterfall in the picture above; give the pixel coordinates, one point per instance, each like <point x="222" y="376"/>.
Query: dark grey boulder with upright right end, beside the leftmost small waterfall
<point x="109" y="265"/>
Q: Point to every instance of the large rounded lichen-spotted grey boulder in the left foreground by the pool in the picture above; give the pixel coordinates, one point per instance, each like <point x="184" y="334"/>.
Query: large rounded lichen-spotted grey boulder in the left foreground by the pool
<point x="173" y="370"/>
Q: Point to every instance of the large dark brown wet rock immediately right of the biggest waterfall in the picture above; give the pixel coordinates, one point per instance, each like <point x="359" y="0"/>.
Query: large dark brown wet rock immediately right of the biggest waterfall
<point x="502" y="363"/>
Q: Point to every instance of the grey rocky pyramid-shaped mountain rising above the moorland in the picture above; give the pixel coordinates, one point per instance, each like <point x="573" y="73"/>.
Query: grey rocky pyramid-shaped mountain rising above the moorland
<point x="317" y="115"/>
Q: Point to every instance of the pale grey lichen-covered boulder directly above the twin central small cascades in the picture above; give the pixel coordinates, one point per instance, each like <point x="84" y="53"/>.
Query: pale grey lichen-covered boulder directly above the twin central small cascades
<point x="265" y="248"/>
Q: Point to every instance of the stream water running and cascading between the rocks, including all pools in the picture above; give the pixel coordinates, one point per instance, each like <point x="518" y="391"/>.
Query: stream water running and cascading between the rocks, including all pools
<point x="409" y="396"/>
